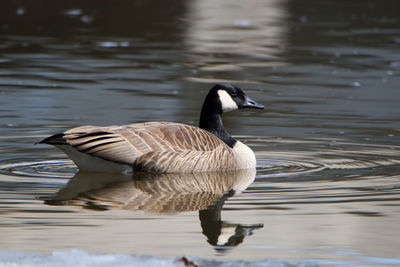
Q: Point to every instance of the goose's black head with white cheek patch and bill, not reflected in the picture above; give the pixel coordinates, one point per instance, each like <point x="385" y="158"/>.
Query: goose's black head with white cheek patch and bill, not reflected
<point x="229" y="97"/>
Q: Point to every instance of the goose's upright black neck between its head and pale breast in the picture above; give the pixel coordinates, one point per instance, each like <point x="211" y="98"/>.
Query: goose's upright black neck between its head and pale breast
<point x="211" y="119"/>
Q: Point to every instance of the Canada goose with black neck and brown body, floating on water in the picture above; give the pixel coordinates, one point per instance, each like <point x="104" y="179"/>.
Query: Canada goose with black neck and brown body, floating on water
<point x="163" y="146"/>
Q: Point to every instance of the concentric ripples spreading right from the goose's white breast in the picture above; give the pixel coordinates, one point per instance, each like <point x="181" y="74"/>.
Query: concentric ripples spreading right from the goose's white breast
<point x="283" y="157"/>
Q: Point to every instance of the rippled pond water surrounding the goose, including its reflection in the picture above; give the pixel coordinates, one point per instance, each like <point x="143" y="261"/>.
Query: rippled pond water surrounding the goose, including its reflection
<point x="327" y="187"/>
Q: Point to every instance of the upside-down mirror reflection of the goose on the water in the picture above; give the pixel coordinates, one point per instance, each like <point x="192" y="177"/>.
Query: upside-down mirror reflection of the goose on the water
<point x="165" y="194"/>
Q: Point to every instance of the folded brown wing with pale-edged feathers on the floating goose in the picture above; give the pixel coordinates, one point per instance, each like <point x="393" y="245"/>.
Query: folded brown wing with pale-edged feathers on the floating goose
<point x="156" y="146"/>
